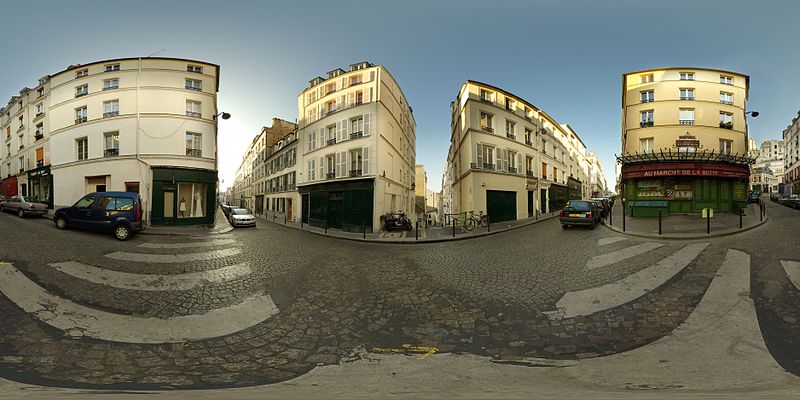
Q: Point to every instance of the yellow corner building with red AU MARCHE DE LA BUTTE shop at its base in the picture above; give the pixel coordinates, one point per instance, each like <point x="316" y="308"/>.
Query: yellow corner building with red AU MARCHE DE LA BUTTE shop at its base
<point x="684" y="140"/>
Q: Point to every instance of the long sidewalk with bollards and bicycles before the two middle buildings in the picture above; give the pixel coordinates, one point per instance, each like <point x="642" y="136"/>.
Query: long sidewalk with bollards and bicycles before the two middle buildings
<point x="429" y="235"/>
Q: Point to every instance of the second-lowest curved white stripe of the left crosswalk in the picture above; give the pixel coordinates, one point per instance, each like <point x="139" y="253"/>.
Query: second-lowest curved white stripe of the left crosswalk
<point x="151" y="282"/>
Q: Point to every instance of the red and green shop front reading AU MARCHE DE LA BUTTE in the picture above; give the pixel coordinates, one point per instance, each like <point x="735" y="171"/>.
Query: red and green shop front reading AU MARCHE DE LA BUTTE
<point x="684" y="187"/>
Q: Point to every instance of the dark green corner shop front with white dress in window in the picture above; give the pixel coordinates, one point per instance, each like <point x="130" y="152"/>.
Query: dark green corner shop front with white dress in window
<point x="183" y="196"/>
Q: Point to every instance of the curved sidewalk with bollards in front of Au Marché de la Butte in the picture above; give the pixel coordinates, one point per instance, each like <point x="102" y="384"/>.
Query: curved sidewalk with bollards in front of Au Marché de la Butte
<point x="685" y="226"/>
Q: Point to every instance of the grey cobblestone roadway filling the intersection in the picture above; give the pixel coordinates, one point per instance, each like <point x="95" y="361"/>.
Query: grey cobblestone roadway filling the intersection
<point x="338" y="301"/>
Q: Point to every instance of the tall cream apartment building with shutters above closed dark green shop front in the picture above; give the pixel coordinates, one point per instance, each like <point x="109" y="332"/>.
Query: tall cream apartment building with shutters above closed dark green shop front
<point x="358" y="148"/>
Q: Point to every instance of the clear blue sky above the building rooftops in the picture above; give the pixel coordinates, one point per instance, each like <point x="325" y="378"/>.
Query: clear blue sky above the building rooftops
<point x="565" y="57"/>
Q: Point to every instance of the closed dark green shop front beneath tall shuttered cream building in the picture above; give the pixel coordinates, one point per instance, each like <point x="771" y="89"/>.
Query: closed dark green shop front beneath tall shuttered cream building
<point x="345" y="205"/>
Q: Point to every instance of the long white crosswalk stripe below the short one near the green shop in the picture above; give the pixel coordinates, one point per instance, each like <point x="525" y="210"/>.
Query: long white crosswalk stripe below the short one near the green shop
<point x="592" y="300"/>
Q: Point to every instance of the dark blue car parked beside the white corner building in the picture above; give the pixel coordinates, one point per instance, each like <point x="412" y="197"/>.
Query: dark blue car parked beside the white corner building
<point x="116" y="212"/>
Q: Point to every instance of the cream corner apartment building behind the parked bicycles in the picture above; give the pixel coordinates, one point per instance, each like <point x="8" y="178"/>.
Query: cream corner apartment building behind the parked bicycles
<point x="508" y="158"/>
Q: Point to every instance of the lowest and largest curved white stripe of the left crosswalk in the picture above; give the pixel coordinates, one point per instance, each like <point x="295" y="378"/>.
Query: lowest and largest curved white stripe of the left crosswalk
<point x="77" y="320"/>
